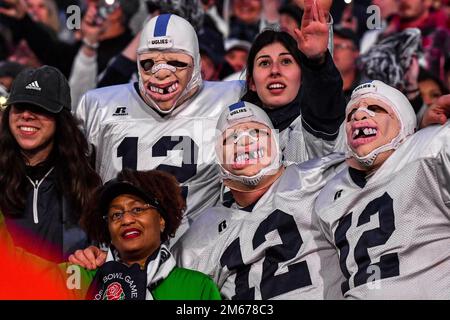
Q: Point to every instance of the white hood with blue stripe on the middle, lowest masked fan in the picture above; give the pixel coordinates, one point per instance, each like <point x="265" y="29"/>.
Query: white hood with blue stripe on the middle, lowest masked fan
<point x="243" y="112"/>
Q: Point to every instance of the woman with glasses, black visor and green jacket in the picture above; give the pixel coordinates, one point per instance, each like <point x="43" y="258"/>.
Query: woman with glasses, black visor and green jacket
<point x="136" y="213"/>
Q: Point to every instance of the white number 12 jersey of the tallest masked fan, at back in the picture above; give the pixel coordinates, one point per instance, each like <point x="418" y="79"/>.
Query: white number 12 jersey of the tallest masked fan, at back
<point x="126" y="132"/>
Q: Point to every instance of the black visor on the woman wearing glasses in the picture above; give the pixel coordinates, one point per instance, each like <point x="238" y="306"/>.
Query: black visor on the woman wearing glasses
<point x="114" y="188"/>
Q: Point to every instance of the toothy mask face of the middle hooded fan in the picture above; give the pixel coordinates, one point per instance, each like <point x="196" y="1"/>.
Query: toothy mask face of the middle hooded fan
<point x="247" y="148"/>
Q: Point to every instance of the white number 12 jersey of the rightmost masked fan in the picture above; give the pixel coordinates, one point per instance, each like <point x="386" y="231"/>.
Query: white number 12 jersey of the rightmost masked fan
<point x="393" y="230"/>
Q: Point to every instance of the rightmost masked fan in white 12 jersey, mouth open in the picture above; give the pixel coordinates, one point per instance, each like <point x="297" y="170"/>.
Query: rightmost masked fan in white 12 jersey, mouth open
<point x="388" y="211"/>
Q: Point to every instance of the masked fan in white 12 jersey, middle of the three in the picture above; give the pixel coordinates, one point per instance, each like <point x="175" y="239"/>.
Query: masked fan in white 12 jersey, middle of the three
<point x="263" y="244"/>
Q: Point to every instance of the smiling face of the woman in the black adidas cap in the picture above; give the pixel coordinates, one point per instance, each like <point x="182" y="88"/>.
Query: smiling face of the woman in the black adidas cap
<point x="33" y="128"/>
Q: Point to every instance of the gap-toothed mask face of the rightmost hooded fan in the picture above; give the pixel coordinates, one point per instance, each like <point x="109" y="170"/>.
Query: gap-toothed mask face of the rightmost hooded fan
<point x="364" y="132"/>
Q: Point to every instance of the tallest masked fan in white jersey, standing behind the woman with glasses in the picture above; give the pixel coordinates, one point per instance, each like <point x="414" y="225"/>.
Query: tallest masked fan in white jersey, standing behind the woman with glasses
<point x="165" y="121"/>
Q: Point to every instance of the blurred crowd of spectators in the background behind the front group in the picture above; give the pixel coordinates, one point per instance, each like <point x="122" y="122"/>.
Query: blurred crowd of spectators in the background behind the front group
<point x="39" y="34"/>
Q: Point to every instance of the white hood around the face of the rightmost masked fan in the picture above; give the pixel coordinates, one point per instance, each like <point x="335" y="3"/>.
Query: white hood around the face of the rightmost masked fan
<point x="399" y="104"/>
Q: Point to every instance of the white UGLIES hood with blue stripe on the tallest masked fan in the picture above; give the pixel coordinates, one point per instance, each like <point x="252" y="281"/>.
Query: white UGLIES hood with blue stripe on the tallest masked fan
<point x="171" y="33"/>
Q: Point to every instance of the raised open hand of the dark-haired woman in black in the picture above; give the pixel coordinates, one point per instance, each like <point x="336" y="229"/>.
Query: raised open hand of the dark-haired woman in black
<point x="312" y="37"/>
